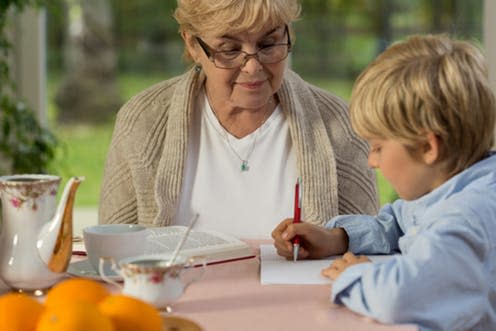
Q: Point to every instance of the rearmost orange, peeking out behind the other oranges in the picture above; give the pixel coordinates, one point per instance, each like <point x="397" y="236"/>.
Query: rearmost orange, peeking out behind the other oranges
<point x="76" y="289"/>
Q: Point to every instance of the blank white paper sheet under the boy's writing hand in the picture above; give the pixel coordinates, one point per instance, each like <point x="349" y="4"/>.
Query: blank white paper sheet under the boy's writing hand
<point x="277" y="270"/>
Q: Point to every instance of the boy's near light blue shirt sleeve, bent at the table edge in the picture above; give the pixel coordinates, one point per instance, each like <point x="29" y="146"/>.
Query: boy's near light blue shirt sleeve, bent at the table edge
<point x="439" y="283"/>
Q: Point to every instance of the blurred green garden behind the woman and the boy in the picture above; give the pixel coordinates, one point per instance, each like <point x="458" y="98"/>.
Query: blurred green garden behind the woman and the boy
<point x="99" y="53"/>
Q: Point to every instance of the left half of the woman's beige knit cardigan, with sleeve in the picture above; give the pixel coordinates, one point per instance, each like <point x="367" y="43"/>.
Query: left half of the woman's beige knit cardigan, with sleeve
<point x="143" y="171"/>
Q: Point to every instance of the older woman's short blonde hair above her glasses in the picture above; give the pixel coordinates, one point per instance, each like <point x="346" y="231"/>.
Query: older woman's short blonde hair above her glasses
<point x="220" y="17"/>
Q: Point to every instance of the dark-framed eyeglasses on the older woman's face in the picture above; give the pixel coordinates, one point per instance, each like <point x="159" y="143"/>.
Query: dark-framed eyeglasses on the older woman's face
<point x="270" y="54"/>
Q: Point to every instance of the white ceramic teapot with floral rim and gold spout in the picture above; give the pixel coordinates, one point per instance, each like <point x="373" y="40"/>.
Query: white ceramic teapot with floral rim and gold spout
<point x="35" y="235"/>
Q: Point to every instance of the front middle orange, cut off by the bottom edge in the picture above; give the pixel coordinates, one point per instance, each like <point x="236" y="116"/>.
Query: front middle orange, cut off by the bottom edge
<point x="74" y="316"/>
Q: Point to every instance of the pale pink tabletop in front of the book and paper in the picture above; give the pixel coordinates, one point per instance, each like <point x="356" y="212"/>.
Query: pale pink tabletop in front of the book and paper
<point x="230" y="297"/>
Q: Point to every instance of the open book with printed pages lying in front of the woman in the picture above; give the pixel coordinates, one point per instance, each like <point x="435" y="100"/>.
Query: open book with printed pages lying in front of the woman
<point x="216" y="247"/>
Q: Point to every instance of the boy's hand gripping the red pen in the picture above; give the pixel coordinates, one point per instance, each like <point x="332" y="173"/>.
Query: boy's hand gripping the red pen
<point x="315" y="241"/>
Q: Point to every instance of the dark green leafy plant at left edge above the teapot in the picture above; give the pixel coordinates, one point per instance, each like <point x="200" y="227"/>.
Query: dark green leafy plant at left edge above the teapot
<point x="25" y="146"/>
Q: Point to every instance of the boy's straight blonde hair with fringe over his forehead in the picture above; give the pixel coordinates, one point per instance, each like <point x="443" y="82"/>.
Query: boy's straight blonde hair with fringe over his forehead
<point x="426" y="84"/>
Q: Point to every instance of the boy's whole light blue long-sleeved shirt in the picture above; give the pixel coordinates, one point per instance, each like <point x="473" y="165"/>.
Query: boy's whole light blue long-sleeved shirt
<point x="445" y="277"/>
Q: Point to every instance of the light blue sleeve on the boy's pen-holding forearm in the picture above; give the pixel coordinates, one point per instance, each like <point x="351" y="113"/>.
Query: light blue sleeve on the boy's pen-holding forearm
<point x="371" y="234"/>
